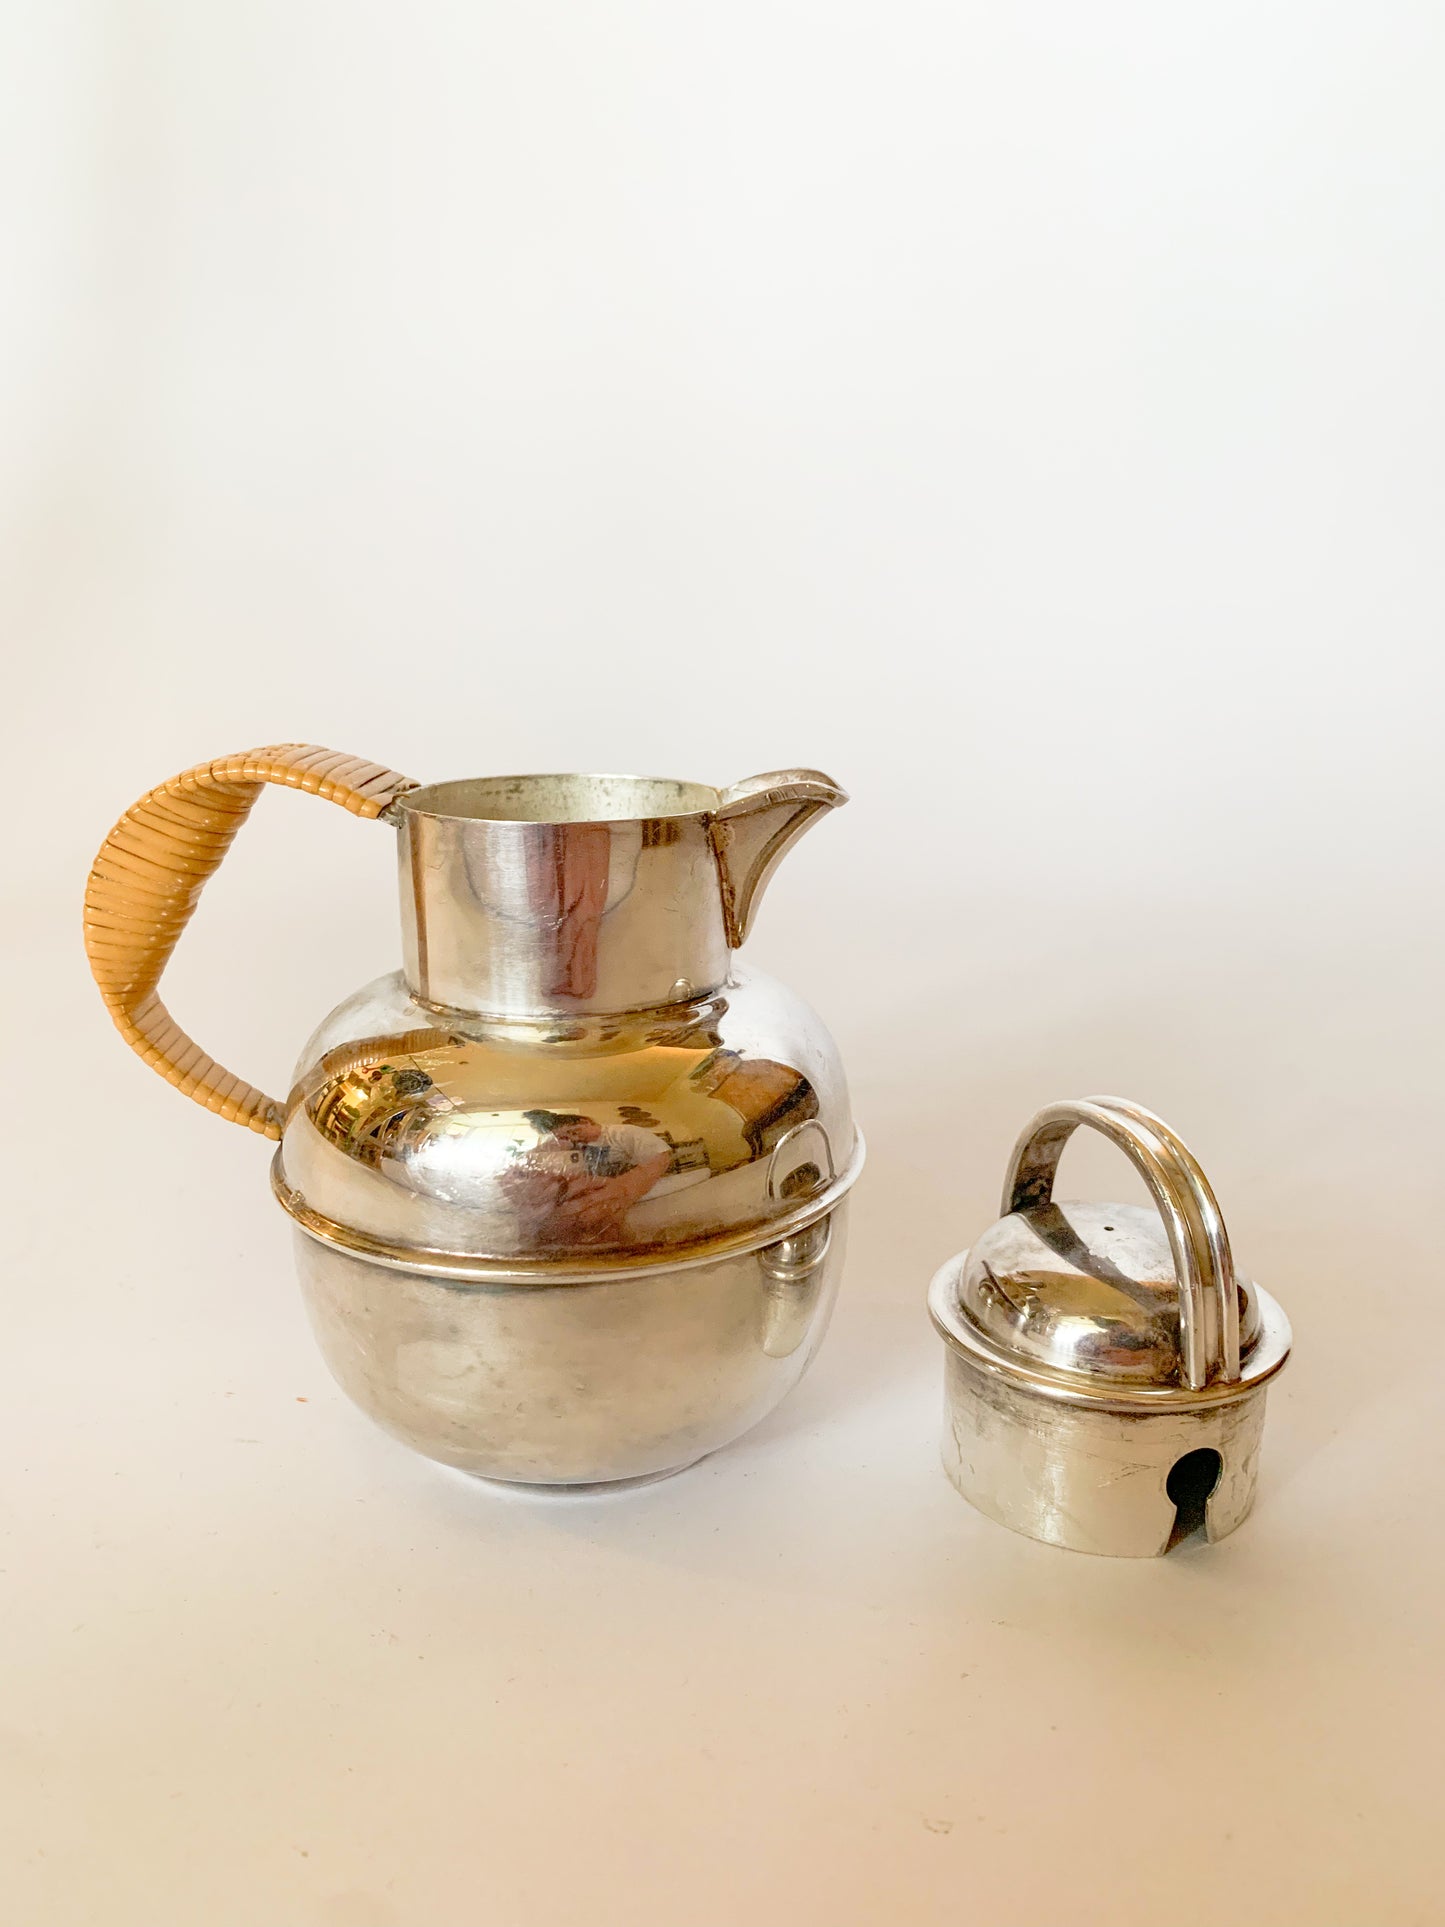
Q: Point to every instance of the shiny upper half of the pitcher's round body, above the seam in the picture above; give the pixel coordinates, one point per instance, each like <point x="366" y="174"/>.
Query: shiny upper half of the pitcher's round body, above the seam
<point x="565" y="1148"/>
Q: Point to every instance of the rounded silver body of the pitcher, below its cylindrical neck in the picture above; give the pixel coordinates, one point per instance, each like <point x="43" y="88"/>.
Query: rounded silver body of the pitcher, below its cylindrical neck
<point x="508" y="1288"/>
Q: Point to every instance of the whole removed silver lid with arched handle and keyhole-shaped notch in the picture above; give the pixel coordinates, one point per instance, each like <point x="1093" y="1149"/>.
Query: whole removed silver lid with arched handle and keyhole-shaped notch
<point x="1107" y="1367"/>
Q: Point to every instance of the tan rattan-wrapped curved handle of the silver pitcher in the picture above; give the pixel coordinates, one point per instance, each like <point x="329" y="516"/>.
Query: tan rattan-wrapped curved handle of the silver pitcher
<point x="149" y="878"/>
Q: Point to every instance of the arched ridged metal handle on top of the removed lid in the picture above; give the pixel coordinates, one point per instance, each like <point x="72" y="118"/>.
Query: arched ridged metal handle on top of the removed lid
<point x="1186" y="1203"/>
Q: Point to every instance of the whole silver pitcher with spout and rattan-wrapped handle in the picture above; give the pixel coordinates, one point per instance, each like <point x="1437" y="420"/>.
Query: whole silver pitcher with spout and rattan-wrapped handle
<point x="569" y="1190"/>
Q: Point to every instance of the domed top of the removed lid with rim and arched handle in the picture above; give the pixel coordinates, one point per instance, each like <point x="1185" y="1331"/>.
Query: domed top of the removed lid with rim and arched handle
<point x="1111" y="1302"/>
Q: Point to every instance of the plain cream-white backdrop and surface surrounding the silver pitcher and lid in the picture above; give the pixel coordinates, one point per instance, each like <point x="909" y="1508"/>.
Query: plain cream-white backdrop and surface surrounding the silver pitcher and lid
<point x="1030" y="415"/>
